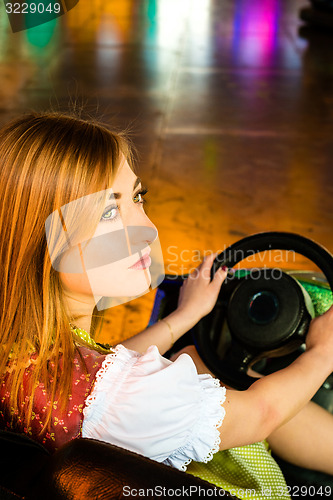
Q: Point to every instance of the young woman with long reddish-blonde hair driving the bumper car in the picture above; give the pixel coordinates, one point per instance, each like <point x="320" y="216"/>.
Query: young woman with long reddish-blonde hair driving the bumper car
<point x="64" y="247"/>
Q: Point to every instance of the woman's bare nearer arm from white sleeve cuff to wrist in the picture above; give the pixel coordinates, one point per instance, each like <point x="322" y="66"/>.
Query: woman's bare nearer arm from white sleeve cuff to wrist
<point x="271" y="401"/>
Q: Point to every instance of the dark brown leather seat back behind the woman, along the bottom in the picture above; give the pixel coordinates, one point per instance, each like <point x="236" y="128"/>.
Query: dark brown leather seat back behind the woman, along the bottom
<point x="86" y="469"/>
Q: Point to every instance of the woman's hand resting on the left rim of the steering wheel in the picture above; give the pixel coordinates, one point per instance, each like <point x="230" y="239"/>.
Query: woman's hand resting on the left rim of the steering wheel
<point x="198" y="294"/>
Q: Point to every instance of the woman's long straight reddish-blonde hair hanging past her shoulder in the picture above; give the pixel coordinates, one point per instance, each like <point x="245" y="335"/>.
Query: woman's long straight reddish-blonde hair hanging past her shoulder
<point x="46" y="161"/>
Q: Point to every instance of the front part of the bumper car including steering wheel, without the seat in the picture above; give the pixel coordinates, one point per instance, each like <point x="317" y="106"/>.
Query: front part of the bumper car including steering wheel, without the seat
<point x="260" y="320"/>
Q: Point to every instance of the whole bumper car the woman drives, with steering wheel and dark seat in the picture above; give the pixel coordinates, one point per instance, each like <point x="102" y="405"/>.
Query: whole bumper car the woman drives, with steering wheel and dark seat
<point x="259" y="321"/>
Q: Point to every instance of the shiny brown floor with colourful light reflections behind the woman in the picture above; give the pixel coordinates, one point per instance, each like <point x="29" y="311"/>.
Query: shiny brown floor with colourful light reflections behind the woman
<point x="229" y="103"/>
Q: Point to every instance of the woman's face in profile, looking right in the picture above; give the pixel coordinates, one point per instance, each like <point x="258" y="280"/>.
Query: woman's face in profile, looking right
<point x="122" y="237"/>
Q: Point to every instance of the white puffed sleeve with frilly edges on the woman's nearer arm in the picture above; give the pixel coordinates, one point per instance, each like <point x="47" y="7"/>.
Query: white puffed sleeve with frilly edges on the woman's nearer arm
<point x="161" y="409"/>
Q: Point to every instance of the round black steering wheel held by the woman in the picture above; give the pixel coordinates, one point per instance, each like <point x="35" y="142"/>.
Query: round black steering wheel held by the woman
<point x="267" y="311"/>
